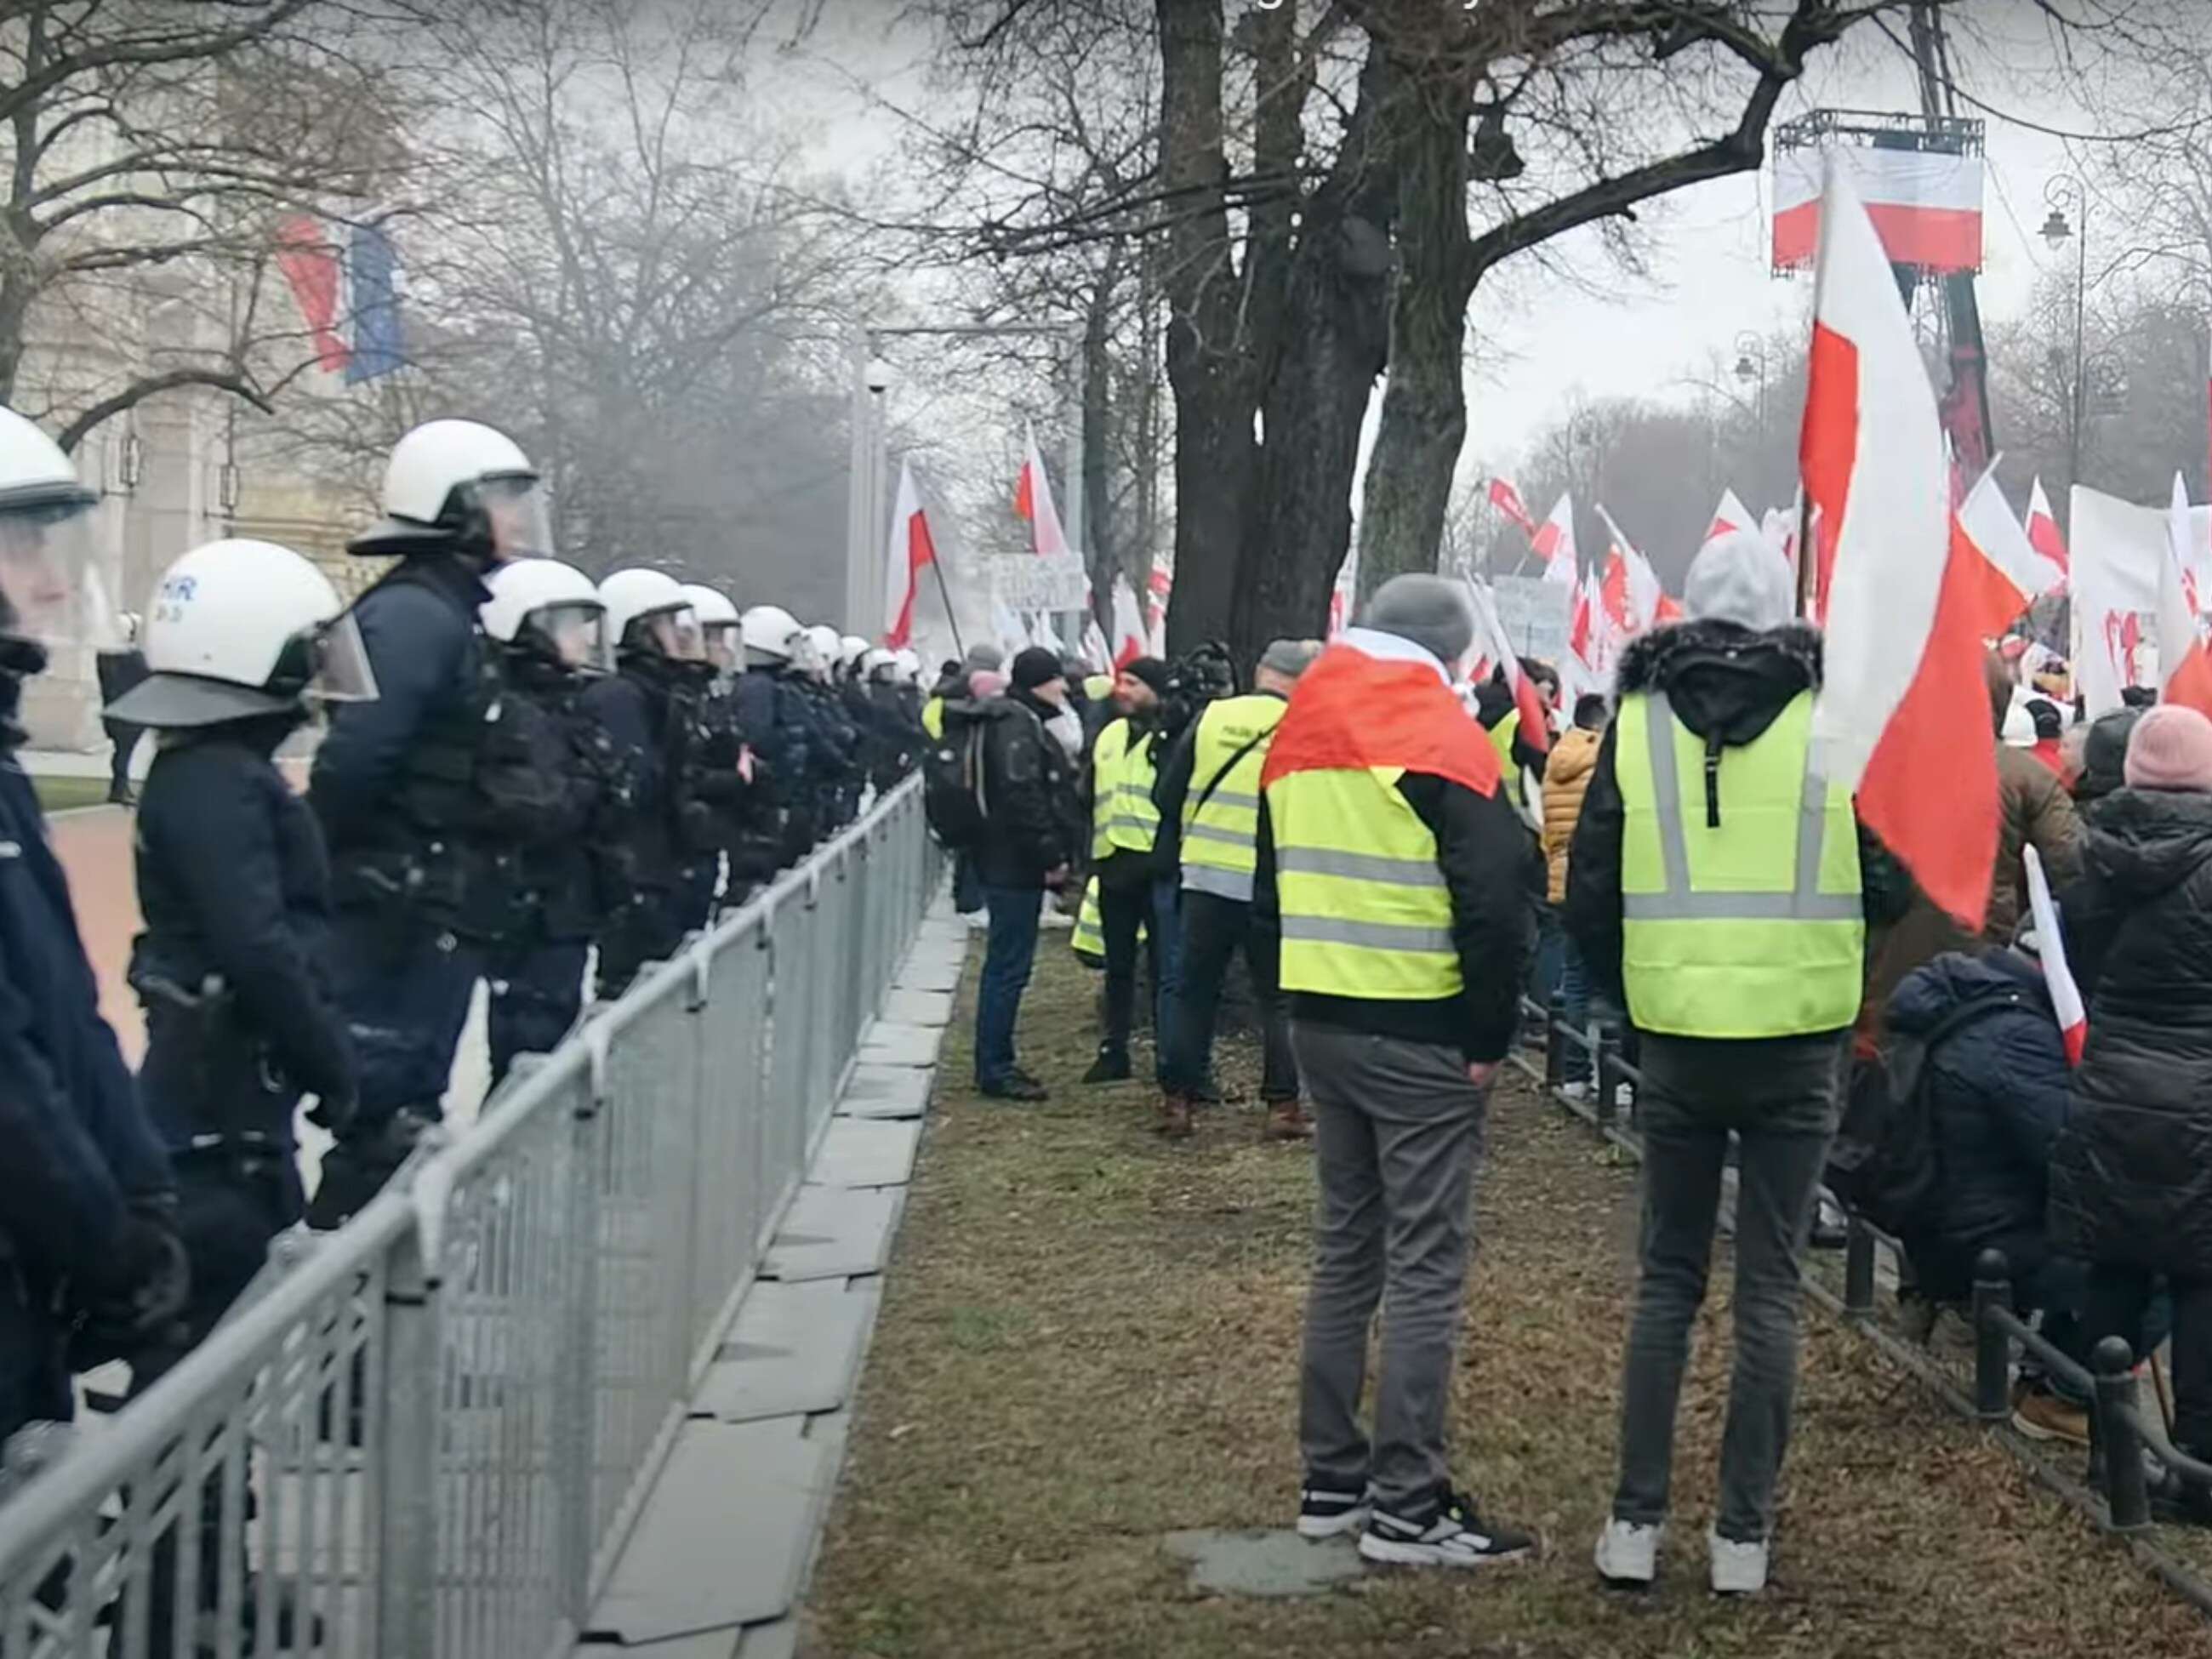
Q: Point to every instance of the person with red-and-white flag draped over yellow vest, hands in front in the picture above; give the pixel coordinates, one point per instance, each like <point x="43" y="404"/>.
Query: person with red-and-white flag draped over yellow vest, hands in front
<point x="1397" y="881"/>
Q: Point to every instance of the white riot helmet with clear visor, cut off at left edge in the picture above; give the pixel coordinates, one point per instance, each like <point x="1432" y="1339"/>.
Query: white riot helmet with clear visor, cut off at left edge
<point x="50" y="587"/>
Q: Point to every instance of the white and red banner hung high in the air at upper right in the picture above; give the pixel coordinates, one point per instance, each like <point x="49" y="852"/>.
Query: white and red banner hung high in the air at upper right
<point x="1926" y="207"/>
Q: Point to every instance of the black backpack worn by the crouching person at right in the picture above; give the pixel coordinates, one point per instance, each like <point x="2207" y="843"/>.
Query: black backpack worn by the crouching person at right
<point x="1886" y="1162"/>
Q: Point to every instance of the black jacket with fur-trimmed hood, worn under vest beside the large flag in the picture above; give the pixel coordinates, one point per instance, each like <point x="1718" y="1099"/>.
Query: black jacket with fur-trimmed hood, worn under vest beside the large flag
<point x="1722" y="682"/>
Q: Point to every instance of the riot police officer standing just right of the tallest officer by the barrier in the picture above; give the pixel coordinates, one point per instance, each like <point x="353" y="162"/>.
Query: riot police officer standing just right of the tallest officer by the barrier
<point x="547" y="625"/>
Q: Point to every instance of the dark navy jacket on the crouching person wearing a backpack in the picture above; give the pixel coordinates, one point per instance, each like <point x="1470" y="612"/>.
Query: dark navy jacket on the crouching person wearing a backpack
<point x="1996" y="1094"/>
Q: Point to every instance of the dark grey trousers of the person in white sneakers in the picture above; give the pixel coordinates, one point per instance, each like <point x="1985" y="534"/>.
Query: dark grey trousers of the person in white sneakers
<point x="1782" y="1100"/>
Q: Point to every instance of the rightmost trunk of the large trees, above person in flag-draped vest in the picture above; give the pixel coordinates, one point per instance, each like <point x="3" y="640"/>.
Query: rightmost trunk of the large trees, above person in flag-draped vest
<point x="1423" y="401"/>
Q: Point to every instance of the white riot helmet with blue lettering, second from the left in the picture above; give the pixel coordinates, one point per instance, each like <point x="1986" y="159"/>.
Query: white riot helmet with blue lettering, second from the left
<point x="244" y="629"/>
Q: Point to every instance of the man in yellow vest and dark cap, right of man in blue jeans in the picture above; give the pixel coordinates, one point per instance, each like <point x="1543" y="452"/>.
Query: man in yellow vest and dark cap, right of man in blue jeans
<point x="1134" y="862"/>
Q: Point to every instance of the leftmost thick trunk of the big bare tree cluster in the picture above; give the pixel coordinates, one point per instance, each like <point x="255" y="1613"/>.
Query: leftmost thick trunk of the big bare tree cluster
<point x="1207" y="359"/>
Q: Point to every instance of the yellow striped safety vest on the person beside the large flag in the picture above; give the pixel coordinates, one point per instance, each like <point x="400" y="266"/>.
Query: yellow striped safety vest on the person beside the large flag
<point x="1746" y="919"/>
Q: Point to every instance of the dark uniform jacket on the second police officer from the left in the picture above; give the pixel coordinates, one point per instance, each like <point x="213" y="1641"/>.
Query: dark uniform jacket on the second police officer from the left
<point x="233" y="884"/>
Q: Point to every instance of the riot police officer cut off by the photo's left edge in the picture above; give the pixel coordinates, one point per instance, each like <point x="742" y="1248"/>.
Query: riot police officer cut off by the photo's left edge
<point x="87" y="1209"/>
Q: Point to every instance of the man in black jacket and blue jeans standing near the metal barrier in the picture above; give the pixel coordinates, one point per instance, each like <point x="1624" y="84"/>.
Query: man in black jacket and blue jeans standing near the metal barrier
<point x="1025" y="848"/>
